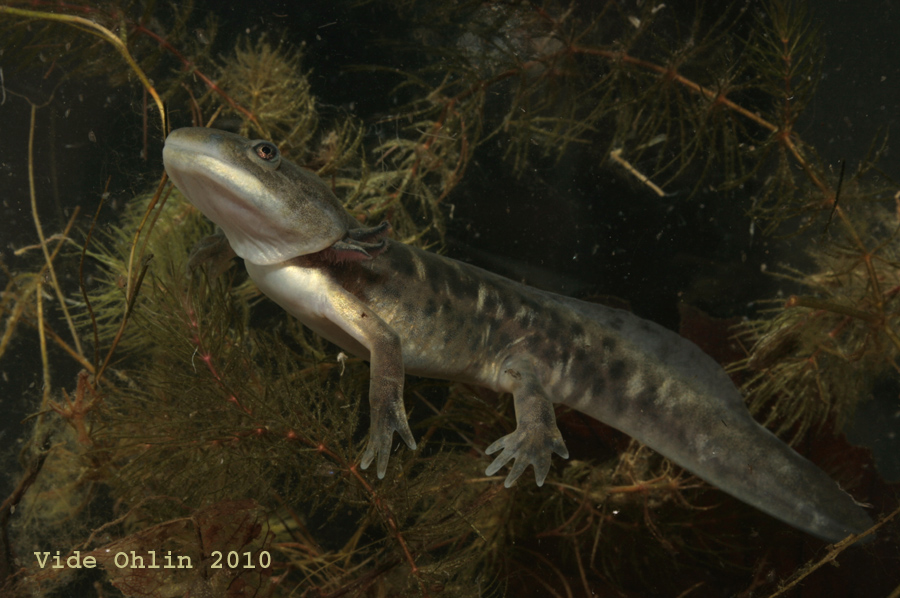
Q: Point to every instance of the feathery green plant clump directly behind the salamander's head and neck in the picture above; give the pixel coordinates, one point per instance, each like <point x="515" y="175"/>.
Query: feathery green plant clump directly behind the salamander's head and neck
<point x="271" y="83"/>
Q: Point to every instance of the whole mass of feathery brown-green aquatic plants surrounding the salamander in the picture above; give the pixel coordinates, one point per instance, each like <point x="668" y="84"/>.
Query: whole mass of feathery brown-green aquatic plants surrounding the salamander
<point x="205" y="421"/>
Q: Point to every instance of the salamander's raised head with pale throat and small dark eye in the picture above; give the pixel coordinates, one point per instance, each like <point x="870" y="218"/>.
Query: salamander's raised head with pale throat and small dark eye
<point x="270" y="209"/>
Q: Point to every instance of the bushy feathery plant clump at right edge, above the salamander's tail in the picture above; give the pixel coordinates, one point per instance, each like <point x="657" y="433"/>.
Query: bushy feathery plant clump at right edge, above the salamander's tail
<point x="816" y="358"/>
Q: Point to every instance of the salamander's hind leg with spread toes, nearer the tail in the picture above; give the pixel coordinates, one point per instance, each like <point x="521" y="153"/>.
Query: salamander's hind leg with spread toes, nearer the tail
<point x="536" y="436"/>
